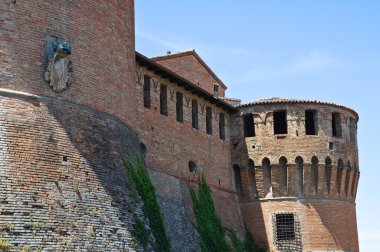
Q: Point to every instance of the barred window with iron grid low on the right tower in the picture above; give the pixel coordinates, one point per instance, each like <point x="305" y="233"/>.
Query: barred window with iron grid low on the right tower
<point x="285" y="227"/>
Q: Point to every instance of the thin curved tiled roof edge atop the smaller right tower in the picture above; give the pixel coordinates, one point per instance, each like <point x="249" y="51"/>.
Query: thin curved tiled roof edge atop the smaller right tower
<point x="276" y="100"/>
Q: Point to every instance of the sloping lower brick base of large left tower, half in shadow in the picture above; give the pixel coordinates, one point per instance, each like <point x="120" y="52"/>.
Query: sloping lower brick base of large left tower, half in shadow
<point x="64" y="186"/>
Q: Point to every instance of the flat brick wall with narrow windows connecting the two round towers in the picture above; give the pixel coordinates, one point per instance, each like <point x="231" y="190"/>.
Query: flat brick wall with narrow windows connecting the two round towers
<point x="171" y="145"/>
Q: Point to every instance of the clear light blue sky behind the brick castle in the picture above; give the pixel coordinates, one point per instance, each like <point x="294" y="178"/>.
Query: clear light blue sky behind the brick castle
<point x="325" y="50"/>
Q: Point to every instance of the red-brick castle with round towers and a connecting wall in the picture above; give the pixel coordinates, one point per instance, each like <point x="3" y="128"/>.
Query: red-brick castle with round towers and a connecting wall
<point x="75" y="97"/>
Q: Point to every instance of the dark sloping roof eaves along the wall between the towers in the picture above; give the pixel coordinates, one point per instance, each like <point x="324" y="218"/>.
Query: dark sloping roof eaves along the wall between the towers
<point x="182" y="82"/>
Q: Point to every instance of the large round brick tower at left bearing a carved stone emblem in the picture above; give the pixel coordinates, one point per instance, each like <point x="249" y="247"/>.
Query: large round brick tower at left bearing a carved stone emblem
<point x="67" y="116"/>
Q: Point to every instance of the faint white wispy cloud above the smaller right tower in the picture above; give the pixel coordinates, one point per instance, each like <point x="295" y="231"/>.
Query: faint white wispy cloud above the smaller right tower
<point x="316" y="60"/>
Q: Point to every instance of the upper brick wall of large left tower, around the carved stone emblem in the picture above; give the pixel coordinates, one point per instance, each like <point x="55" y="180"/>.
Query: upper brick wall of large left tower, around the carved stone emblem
<point x="102" y="37"/>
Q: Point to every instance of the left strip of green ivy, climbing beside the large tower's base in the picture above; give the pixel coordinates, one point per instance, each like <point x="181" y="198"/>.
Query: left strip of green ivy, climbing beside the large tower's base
<point x="140" y="177"/>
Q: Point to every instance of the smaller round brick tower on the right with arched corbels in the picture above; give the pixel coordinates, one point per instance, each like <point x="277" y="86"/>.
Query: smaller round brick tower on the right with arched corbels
<point x="296" y="170"/>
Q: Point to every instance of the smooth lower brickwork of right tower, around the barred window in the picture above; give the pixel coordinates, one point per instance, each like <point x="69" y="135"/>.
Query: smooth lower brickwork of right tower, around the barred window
<point x="326" y="225"/>
